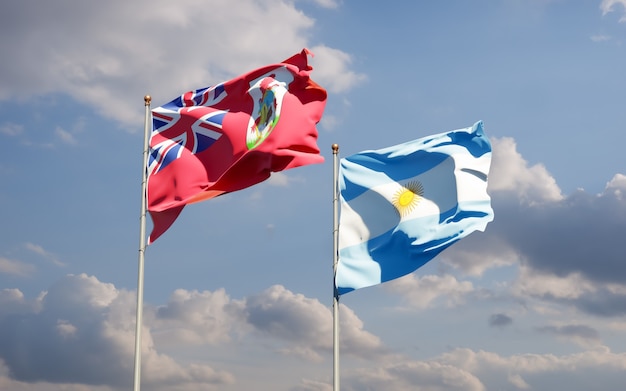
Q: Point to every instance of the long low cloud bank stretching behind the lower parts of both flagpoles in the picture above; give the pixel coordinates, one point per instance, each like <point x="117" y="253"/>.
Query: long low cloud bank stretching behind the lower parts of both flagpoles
<point x="81" y="331"/>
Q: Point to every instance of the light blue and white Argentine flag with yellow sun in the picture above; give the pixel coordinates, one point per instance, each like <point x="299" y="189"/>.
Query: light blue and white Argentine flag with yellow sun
<point x="401" y="206"/>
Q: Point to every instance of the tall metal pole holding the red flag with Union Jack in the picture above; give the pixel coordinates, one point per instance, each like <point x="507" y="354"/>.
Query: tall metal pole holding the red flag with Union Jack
<point x="142" y="246"/>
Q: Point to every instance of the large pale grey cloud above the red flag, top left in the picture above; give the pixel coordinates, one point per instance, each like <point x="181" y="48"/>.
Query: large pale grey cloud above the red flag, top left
<point x="109" y="55"/>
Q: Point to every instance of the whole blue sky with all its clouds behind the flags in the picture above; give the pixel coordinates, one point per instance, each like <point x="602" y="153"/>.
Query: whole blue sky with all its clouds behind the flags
<point x="238" y="292"/>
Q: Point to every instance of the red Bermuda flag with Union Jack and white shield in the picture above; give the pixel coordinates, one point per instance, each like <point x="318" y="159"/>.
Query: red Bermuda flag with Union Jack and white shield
<point x="230" y="136"/>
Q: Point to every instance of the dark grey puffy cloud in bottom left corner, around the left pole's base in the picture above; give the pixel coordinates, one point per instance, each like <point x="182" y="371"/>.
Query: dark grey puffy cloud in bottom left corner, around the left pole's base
<point x="82" y="331"/>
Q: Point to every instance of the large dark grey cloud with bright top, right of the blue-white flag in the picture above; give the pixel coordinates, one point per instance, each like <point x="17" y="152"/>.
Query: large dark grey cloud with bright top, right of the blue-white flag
<point x="568" y="249"/>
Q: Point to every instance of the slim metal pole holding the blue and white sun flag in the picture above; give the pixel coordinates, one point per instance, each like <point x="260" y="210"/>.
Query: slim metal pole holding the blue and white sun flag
<point x="335" y="260"/>
